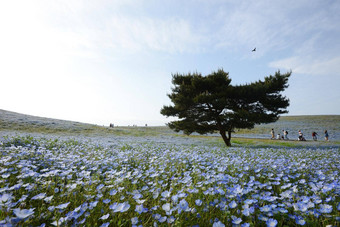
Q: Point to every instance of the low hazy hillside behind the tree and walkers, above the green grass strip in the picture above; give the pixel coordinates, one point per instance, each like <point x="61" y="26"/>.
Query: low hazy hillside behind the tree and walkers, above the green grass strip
<point x="11" y="121"/>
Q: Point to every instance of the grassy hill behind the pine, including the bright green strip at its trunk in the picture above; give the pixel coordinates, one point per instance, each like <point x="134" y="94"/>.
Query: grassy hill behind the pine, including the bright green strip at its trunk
<point x="259" y="136"/>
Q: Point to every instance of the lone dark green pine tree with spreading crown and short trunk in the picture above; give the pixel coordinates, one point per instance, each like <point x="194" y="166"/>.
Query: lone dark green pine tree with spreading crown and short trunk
<point x="205" y="104"/>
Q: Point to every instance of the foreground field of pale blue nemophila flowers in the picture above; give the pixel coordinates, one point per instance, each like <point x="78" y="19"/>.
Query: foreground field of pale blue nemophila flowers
<point x="51" y="182"/>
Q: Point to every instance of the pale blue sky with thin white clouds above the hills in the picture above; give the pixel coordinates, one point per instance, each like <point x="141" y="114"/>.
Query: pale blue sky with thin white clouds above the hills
<point x="111" y="61"/>
